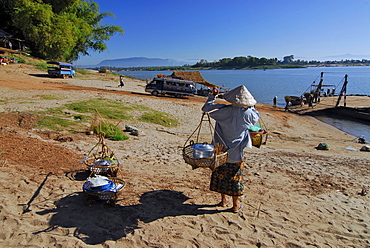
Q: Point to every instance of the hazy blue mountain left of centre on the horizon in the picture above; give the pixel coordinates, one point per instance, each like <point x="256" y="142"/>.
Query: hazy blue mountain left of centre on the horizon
<point x="143" y="62"/>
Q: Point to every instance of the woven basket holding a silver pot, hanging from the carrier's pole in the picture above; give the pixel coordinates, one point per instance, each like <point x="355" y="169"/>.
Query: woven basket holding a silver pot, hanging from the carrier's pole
<point x="212" y="162"/>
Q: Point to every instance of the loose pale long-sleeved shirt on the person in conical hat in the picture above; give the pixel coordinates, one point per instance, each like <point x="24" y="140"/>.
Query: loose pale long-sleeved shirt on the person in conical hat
<point x="231" y="129"/>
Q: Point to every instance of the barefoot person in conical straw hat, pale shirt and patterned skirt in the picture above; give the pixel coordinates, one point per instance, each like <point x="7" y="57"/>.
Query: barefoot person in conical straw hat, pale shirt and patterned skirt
<point x="231" y="129"/>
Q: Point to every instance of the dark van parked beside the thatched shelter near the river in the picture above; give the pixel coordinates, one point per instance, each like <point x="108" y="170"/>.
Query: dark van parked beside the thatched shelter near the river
<point x="170" y="86"/>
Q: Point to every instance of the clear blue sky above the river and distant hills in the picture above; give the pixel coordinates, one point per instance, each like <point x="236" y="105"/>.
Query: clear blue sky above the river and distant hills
<point x="214" y="29"/>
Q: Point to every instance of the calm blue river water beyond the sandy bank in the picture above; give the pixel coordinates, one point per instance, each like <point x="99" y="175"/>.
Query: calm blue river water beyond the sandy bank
<point x="264" y="85"/>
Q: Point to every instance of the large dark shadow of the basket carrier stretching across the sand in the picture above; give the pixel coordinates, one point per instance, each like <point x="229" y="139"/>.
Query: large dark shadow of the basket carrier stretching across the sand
<point x="97" y="223"/>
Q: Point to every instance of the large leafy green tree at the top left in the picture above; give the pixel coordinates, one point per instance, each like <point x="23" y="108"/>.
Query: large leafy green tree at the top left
<point x="59" y="29"/>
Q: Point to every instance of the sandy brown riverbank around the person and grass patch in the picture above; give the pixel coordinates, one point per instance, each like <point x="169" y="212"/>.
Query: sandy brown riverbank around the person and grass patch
<point x="296" y="195"/>
